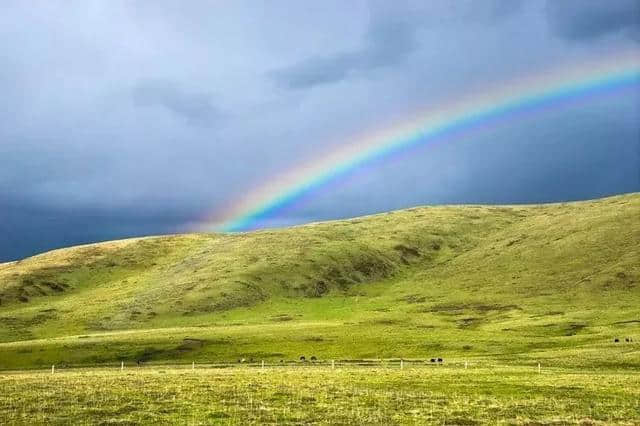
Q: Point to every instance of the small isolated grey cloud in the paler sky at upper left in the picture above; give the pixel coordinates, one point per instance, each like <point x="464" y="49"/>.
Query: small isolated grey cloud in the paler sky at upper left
<point x="197" y="108"/>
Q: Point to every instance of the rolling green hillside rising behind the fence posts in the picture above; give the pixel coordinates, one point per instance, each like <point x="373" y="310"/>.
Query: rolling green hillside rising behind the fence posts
<point x="555" y="282"/>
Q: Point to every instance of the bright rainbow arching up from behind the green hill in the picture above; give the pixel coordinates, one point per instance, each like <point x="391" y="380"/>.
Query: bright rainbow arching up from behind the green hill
<point x="520" y="97"/>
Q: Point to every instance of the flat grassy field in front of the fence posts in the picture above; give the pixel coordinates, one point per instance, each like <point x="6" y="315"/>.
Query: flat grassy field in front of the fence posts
<point x="319" y="395"/>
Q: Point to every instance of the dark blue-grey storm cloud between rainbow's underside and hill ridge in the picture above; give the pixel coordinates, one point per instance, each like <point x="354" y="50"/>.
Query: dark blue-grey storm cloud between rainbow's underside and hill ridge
<point x="577" y="155"/>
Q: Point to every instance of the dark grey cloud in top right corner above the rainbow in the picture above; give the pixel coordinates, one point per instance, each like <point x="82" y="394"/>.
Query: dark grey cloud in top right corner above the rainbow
<point x="590" y="19"/>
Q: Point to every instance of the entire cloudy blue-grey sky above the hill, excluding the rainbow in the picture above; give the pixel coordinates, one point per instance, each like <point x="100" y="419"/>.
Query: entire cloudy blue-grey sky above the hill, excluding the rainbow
<point x="122" y="118"/>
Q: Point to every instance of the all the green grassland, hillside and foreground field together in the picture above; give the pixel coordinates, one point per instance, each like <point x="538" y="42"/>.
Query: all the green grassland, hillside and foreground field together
<point x="502" y="288"/>
